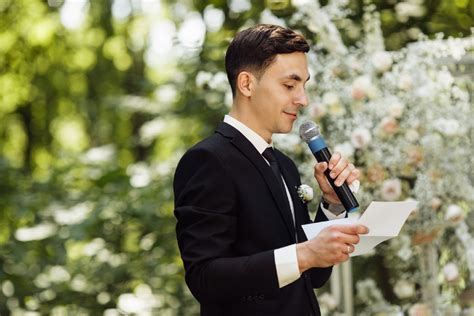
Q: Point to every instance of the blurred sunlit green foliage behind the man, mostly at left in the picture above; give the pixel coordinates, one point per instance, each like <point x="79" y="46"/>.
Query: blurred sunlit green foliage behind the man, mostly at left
<point x="93" y="119"/>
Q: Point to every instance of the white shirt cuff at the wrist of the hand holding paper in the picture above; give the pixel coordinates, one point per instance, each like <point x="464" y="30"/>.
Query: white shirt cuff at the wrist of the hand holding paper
<point x="286" y="263"/>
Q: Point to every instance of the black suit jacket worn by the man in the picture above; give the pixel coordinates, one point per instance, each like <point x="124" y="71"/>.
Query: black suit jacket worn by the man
<point x="231" y="217"/>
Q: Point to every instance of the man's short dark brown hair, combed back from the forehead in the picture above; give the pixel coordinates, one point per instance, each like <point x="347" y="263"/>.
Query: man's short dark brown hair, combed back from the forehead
<point x="255" y="48"/>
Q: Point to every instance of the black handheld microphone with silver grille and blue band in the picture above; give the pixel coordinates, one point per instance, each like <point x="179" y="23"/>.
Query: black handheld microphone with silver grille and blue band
<point x="309" y="132"/>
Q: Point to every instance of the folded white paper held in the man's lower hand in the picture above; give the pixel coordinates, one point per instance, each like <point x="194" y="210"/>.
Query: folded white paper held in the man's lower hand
<point x="384" y="220"/>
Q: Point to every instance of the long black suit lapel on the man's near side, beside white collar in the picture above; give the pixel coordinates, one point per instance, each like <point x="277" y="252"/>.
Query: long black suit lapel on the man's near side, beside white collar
<point x="247" y="149"/>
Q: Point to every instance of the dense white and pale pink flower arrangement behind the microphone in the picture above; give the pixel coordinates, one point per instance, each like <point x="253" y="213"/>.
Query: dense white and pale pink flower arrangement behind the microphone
<point x="403" y="119"/>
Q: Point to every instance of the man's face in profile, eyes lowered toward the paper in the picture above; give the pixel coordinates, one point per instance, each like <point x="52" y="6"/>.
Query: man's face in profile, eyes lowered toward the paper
<point x="279" y="94"/>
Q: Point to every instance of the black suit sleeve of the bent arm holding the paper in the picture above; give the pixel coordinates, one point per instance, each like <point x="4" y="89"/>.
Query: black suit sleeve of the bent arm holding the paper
<point x="207" y="213"/>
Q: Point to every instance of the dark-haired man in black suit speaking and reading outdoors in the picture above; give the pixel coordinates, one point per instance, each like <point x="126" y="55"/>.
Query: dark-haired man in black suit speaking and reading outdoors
<point x="239" y="216"/>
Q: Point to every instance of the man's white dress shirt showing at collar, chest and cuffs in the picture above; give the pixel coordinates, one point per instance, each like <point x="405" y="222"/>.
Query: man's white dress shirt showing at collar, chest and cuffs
<point x="286" y="261"/>
